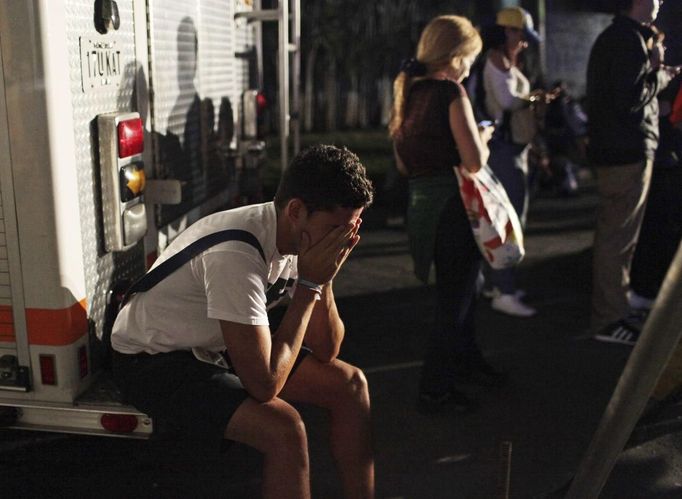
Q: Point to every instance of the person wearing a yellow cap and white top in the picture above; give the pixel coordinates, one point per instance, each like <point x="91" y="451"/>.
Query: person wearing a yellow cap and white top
<point x="507" y="90"/>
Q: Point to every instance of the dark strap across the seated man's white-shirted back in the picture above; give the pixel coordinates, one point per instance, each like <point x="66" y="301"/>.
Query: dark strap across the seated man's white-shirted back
<point x="166" y="268"/>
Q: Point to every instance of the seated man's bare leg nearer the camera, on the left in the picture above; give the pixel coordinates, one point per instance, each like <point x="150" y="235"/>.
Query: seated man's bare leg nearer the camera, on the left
<point x="275" y="429"/>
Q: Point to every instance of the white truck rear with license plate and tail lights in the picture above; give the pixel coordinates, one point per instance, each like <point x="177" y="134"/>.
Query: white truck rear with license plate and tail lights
<point x="121" y="123"/>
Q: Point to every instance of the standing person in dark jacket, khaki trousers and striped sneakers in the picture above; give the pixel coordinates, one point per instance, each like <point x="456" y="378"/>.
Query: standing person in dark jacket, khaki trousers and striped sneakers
<point x="623" y="80"/>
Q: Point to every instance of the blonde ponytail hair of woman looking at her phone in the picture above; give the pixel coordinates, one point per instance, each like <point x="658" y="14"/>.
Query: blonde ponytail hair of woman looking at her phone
<point x="443" y="39"/>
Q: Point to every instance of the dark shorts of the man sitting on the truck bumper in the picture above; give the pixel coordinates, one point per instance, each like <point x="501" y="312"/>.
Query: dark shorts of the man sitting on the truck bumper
<point x="188" y="399"/>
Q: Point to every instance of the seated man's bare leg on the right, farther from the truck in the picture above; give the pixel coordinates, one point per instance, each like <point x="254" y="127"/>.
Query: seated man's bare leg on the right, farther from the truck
<point x="341" y="389"/>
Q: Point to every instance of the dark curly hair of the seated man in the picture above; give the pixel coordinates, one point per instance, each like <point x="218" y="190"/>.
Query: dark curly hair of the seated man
<point x="325" y="177"/>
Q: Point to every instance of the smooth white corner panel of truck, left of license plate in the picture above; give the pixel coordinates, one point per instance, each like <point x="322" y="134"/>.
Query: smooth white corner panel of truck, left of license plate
<point x="37" y="108"/>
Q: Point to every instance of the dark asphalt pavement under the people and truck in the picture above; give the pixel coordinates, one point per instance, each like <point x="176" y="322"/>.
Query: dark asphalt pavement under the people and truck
<point x="525" y="441"/>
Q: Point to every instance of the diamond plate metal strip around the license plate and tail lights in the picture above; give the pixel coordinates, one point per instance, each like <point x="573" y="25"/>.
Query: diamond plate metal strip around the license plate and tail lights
<point x="101" y="269"/>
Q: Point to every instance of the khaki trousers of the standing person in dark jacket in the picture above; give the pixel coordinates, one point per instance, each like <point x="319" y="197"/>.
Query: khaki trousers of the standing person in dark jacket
<point x="623" y="192"/>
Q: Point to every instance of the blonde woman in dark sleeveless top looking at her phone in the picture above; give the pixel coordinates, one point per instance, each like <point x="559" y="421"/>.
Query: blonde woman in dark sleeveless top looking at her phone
<point x="434" y="131"/>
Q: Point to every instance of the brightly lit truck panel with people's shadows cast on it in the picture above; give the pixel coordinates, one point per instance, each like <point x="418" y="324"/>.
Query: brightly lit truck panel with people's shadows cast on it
<point x="197" y="82"/>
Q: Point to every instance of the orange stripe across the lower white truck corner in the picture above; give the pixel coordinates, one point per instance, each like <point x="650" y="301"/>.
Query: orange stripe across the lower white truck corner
<point x="53" y="327"/>
